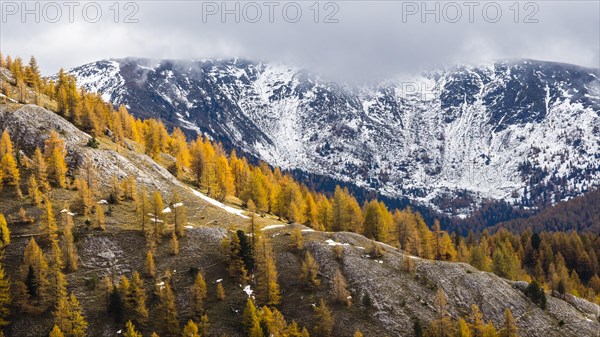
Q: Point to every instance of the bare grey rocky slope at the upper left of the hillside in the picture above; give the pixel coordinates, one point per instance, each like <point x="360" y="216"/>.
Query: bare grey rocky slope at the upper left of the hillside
<point x="30" y="125"/>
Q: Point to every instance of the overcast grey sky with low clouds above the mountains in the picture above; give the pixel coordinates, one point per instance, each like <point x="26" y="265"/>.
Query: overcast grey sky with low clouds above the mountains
<point x="356" y="39"/>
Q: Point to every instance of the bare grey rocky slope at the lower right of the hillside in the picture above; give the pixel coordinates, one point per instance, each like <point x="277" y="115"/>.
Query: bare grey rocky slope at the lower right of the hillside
<point x="399" y="297"/>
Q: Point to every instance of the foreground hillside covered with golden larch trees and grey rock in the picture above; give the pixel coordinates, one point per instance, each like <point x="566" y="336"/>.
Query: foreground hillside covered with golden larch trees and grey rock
<point x="110" y="223"/>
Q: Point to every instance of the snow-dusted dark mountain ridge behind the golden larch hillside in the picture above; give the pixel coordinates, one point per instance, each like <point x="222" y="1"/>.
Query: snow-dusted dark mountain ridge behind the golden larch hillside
<point x="523" y="131"/>
